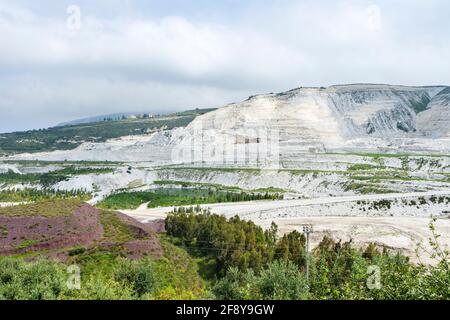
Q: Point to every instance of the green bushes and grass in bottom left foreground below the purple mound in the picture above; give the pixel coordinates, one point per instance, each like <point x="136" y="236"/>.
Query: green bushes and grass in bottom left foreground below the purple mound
<point x="125" y="279"/>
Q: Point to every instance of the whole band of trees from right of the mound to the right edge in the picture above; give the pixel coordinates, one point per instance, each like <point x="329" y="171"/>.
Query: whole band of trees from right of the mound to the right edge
<point x="255" y="264"/>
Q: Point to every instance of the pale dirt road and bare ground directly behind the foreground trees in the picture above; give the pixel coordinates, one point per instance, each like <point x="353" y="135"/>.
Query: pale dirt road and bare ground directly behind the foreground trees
<point x="401" y="233"/>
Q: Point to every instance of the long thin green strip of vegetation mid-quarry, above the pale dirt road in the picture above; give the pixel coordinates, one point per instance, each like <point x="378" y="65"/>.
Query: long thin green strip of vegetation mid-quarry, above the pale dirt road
<point x="164" y="197"/>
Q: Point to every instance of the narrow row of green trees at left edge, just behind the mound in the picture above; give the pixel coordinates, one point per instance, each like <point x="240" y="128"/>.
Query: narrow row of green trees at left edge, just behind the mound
<point x="33" y="195"/>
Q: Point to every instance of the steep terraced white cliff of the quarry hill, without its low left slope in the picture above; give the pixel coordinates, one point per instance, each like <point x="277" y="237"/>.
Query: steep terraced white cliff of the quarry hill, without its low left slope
<point x="350" y="117"/>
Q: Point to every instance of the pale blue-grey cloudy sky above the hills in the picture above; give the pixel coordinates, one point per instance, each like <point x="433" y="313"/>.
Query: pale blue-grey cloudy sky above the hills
<point x="61" y="60"/>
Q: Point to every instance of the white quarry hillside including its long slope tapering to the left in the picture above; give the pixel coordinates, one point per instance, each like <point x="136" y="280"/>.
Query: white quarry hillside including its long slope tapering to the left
<point x="286" y="126"/>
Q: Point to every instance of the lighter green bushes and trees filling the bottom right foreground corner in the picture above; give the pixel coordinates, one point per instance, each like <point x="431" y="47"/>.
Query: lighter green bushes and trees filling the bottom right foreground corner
<point x="339" y="271"/>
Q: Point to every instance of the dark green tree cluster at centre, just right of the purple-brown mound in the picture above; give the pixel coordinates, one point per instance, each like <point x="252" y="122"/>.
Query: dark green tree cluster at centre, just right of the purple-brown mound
<point x="234" y="242"/>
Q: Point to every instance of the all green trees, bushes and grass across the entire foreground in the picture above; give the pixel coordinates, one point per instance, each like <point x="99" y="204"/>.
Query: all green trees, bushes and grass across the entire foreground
<point x="248" y="263"/>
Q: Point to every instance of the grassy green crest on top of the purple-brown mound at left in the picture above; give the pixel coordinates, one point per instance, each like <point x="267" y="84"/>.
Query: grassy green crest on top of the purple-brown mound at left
<point x="48" y="208"/>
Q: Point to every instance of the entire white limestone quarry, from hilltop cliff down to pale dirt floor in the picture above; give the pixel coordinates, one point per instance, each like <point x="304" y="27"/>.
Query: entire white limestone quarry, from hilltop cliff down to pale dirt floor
<point x="370" y="162"/>
